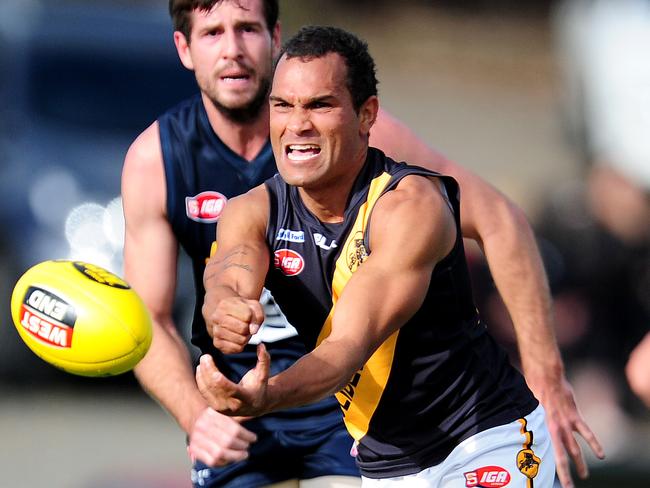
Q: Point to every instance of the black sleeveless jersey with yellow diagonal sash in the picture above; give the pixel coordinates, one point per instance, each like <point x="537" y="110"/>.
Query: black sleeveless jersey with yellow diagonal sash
<point x="436" y="381"/>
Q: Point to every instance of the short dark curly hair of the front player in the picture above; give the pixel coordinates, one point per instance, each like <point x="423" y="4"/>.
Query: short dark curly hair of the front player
<point x="318" y="41"/>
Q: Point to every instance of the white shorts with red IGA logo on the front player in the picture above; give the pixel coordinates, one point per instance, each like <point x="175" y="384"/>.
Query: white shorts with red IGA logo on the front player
<point x="516" y="455"/>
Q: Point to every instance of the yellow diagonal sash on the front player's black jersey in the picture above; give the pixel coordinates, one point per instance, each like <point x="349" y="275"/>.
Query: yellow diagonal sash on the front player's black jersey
<point x="359" y="399"/>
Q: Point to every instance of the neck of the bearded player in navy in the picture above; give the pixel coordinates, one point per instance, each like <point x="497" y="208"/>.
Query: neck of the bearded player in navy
<point x="245" y="139"/>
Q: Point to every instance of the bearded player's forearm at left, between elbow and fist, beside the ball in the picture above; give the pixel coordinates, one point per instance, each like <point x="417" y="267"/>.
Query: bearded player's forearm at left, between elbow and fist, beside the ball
<point x="167" y="376"/>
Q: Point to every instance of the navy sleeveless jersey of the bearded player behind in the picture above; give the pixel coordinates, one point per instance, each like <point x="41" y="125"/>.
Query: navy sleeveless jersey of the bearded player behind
<point x="202" y="173"/>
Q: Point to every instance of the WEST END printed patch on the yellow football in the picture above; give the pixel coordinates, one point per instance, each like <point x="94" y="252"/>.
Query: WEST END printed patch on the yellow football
<point x="47" y="317"/>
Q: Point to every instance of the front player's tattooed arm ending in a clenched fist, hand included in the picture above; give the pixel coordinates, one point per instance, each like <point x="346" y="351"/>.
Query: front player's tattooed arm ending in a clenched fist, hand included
<point x="235" y="273"/>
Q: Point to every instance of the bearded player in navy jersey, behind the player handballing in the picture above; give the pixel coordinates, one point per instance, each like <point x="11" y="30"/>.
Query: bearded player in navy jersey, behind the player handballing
<point x="178" y="175"/>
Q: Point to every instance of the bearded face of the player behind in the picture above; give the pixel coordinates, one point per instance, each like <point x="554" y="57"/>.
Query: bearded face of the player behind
<point x="231" y="52"/>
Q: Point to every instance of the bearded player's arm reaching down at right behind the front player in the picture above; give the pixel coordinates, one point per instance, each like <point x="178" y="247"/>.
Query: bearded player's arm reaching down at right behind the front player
<point x="503" y="232"/>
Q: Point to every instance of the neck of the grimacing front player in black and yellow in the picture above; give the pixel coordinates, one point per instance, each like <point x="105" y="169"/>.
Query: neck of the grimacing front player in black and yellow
<point x="328" y="201"/>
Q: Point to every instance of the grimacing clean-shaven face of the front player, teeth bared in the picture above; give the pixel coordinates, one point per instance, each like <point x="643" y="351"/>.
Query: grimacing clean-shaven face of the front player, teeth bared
<point x="317" y="136"/>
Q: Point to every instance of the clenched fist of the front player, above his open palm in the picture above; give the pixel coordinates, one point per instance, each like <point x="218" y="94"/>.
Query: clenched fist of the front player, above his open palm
<point x="232" y="321"/>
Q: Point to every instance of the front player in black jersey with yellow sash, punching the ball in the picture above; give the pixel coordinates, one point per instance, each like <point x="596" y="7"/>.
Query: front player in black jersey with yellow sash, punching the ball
<point x="365" y="257"/>
